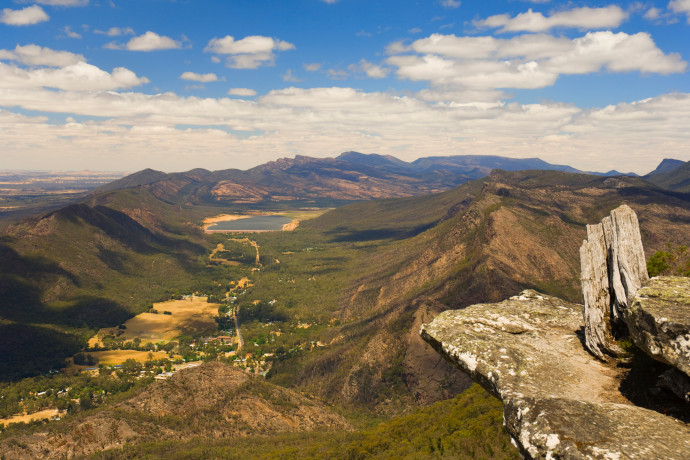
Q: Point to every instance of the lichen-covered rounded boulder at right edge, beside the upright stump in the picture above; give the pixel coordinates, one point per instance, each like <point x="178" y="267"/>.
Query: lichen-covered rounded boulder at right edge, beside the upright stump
<point x="659" y="321"/>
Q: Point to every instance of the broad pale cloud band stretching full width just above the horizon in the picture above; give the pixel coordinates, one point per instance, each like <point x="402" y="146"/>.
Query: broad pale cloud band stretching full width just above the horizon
<point x="324" y="121"/>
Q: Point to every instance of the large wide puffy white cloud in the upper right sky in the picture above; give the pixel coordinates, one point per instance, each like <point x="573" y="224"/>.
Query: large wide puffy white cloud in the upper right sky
<point x="526" y="61"/>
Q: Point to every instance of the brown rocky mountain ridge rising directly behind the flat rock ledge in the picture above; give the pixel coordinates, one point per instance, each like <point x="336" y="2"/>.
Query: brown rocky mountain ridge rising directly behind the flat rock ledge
<point x="482" y="242"/>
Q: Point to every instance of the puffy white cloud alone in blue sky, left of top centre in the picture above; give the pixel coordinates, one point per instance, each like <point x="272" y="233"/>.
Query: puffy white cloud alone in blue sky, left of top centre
<point x="248" y="53"/>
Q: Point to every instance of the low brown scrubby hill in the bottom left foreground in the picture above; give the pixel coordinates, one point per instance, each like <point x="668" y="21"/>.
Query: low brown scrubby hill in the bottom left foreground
<point x="214" y="401"/>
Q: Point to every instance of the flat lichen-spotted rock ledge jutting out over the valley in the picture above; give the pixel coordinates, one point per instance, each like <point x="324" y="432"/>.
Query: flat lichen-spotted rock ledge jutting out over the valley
<point x="559" y="401"/>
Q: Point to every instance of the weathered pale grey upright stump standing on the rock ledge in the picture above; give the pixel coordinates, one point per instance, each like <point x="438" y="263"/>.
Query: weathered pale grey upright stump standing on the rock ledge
<point x="613" y="269"/>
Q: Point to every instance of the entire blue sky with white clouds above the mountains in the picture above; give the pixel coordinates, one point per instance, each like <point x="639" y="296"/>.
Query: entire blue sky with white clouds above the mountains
<point x="123" y="85"/>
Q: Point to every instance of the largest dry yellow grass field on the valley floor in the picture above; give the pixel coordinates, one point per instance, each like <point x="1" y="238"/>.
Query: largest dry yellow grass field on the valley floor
<point x="187" y="316"/>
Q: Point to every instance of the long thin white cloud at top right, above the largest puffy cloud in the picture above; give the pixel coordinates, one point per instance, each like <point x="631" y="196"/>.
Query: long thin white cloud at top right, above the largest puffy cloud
<point x="580" y="18"/>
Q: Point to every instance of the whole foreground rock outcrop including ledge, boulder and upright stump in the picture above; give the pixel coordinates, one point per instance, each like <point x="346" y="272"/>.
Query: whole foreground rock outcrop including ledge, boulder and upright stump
<point x="561" y="399"/>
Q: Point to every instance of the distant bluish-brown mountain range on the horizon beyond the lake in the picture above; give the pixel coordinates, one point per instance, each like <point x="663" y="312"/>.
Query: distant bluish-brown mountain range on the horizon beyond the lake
<point x="310" y="181"/>
